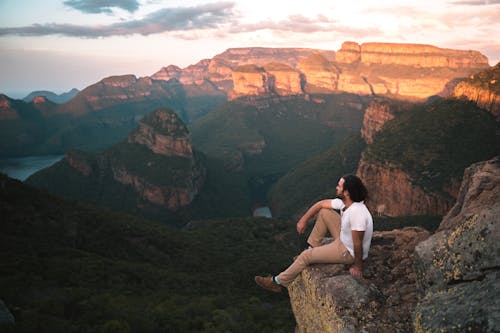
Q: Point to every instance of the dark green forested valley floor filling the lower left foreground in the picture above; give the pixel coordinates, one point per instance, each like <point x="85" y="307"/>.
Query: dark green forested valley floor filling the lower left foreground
<point x="73" y="268"/>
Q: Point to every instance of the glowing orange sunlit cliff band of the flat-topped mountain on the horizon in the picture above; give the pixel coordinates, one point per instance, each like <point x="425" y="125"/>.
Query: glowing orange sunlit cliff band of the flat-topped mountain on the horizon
<point x="408" y="71"/>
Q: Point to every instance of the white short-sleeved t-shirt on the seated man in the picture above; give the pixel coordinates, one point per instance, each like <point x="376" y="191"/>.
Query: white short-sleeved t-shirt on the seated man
<point x="356" y="217"/>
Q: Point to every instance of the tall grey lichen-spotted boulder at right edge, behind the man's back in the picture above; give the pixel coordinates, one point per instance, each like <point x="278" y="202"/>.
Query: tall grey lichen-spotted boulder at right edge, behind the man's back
<point x="457" y="268"/>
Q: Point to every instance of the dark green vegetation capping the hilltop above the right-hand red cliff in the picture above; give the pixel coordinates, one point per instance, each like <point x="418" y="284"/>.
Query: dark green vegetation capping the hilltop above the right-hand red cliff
<point x="435" y="142"/>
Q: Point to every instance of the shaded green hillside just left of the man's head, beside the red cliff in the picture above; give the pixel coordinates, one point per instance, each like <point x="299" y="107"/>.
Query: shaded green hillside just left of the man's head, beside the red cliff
<point x="315" y="179"/>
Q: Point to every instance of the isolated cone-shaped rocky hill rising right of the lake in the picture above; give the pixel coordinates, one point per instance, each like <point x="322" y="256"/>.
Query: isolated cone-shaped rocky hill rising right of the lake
<point x="154" y="169"/>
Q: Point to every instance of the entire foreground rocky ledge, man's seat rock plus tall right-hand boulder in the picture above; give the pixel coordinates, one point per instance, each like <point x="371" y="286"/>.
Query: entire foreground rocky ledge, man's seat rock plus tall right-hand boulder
<point x="447" y="282"/>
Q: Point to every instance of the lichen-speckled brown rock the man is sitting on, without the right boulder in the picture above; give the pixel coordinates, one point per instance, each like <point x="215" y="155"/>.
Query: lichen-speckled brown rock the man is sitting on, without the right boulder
<point x="325" y="298"/>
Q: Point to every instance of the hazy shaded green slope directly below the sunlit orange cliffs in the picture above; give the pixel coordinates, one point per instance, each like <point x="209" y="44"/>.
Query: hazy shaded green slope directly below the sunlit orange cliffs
<point x="288" y="132"/>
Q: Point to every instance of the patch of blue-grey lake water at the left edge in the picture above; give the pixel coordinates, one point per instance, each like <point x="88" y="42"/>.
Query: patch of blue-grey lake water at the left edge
<point x="23" y="167"/>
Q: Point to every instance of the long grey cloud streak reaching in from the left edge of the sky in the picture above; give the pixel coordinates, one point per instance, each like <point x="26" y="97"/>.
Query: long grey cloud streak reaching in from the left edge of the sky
<point x="167" y="19"/>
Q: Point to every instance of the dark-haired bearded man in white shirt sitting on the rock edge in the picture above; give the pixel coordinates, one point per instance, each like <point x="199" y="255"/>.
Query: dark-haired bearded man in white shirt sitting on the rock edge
<point x="352" y="232"/>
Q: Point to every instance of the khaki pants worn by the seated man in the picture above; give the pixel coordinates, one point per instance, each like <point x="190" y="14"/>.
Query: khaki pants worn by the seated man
<point x="332" y="253"/>
